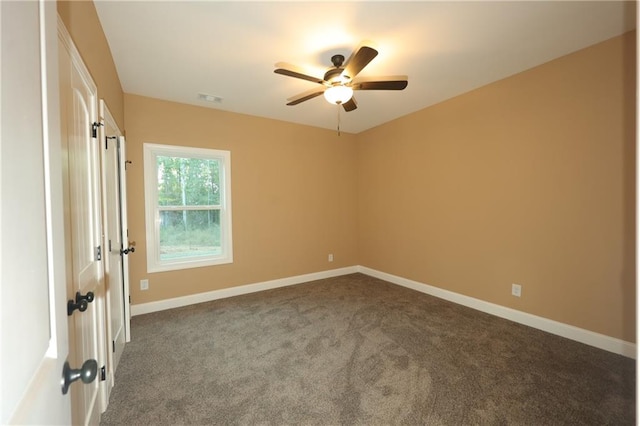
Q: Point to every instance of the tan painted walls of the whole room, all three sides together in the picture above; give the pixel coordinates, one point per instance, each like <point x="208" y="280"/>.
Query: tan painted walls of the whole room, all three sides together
<point x="528" y="180"/>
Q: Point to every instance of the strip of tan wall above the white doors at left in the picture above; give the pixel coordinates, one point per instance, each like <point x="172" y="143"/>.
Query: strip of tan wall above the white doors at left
<point x="81" y="20"/>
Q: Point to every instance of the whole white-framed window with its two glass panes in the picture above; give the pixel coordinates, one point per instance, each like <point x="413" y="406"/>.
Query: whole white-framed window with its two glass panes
<point x="188" y="207"/>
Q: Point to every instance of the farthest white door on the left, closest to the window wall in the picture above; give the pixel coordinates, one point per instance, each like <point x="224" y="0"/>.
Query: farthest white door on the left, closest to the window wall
<point x="117" y="247"/>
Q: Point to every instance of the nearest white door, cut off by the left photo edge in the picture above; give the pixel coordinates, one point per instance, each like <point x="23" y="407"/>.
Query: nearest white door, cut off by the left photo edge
<point x="33" y="325"/>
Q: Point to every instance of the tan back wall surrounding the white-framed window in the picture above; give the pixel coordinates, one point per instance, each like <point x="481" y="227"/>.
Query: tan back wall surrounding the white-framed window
<point x="293" y="195"/>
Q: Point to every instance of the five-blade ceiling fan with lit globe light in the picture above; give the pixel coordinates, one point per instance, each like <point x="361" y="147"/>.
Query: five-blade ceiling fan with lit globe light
<point x="340" y="81"/>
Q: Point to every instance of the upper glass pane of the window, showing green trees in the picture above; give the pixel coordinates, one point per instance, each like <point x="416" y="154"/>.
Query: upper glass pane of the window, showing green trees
<point x="188" y="181"/>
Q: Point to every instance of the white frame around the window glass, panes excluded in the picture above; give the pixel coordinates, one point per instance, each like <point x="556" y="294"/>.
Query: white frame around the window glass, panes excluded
<point x="152" y="209"/>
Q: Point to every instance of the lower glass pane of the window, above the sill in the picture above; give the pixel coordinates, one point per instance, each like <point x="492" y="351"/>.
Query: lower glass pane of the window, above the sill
<point x="188" y="233"/>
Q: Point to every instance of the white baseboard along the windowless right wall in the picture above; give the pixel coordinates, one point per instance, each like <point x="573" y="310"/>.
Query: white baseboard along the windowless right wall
<point x="554" y="327"/>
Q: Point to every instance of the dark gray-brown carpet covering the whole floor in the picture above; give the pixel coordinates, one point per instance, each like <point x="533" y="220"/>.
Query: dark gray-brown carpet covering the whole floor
<point x="357" y="350"/>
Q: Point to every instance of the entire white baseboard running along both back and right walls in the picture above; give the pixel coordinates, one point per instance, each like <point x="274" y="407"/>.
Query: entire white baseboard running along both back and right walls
<point x="554" y="327"/>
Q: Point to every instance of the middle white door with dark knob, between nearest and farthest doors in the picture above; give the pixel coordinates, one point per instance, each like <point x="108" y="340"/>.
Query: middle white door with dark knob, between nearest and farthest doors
<point x="81" y="181"/>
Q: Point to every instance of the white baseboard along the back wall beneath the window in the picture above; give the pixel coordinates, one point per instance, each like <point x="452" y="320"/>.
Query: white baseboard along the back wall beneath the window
<point x="161" y="305"/>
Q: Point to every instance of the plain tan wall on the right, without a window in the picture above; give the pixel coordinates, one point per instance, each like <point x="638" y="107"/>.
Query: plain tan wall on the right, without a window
<point x="529" y="180"/>
